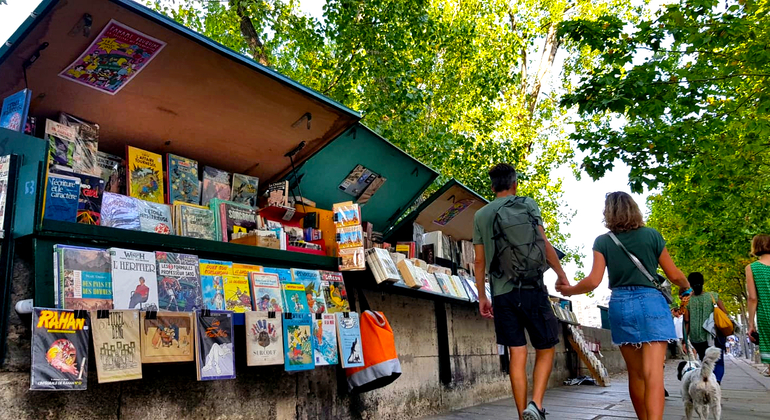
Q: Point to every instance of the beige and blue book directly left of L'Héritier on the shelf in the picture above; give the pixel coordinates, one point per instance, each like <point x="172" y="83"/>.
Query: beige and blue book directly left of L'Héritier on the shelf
<point x="83" y="278"/>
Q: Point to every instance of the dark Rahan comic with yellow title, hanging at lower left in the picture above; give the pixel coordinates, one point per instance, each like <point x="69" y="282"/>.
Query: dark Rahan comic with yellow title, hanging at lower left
<point x="59" y="350"/>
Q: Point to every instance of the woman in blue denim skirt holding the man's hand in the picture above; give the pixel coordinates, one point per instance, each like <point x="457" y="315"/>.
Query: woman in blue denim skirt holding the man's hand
<point x="640" y="320"/>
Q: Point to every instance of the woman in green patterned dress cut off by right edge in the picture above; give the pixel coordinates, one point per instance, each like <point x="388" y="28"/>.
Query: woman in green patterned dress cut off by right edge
<point x="758" y="288"/>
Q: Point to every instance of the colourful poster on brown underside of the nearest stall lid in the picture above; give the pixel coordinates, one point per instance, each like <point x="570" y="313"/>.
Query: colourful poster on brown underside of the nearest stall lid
<point x="113" y="59"/>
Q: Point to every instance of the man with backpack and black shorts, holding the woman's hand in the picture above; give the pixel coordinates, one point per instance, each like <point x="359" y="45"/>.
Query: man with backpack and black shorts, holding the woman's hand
<point x="511" y="247"/>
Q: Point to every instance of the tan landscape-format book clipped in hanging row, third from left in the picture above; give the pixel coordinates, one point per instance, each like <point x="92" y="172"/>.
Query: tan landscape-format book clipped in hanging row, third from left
<point x="170" y="337"/>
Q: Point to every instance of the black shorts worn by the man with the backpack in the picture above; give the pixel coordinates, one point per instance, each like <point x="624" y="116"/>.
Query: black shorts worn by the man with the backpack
<point x="525" y="309"/>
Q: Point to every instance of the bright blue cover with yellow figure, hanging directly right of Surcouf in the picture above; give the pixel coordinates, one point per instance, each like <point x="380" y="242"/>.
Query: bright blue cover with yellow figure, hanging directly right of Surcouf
<point x="298" y="342"/>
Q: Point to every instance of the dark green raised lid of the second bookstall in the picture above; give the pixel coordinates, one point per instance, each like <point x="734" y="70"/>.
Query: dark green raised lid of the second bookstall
<point x="405" y="177"/>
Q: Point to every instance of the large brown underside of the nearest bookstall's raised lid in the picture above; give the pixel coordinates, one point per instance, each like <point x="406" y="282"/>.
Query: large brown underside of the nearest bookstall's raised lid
<point x="196" y="98"/>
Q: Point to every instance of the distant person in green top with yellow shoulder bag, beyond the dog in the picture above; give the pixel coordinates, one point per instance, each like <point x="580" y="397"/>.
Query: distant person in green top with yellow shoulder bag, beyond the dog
<point x="699" y="308"/>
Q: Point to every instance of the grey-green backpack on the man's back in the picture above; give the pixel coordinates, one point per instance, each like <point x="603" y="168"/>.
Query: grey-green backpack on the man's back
<point x="519" y="246"/>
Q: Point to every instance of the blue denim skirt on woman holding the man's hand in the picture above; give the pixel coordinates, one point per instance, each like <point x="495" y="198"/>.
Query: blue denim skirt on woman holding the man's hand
<point x="640" y="315"/>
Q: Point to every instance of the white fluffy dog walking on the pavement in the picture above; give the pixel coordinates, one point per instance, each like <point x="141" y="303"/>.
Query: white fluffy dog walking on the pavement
<point x="700" y="390"/>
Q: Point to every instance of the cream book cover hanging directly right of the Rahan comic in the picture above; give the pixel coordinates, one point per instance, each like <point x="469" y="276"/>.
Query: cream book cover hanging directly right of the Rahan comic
<point x="116" y="346"/>
